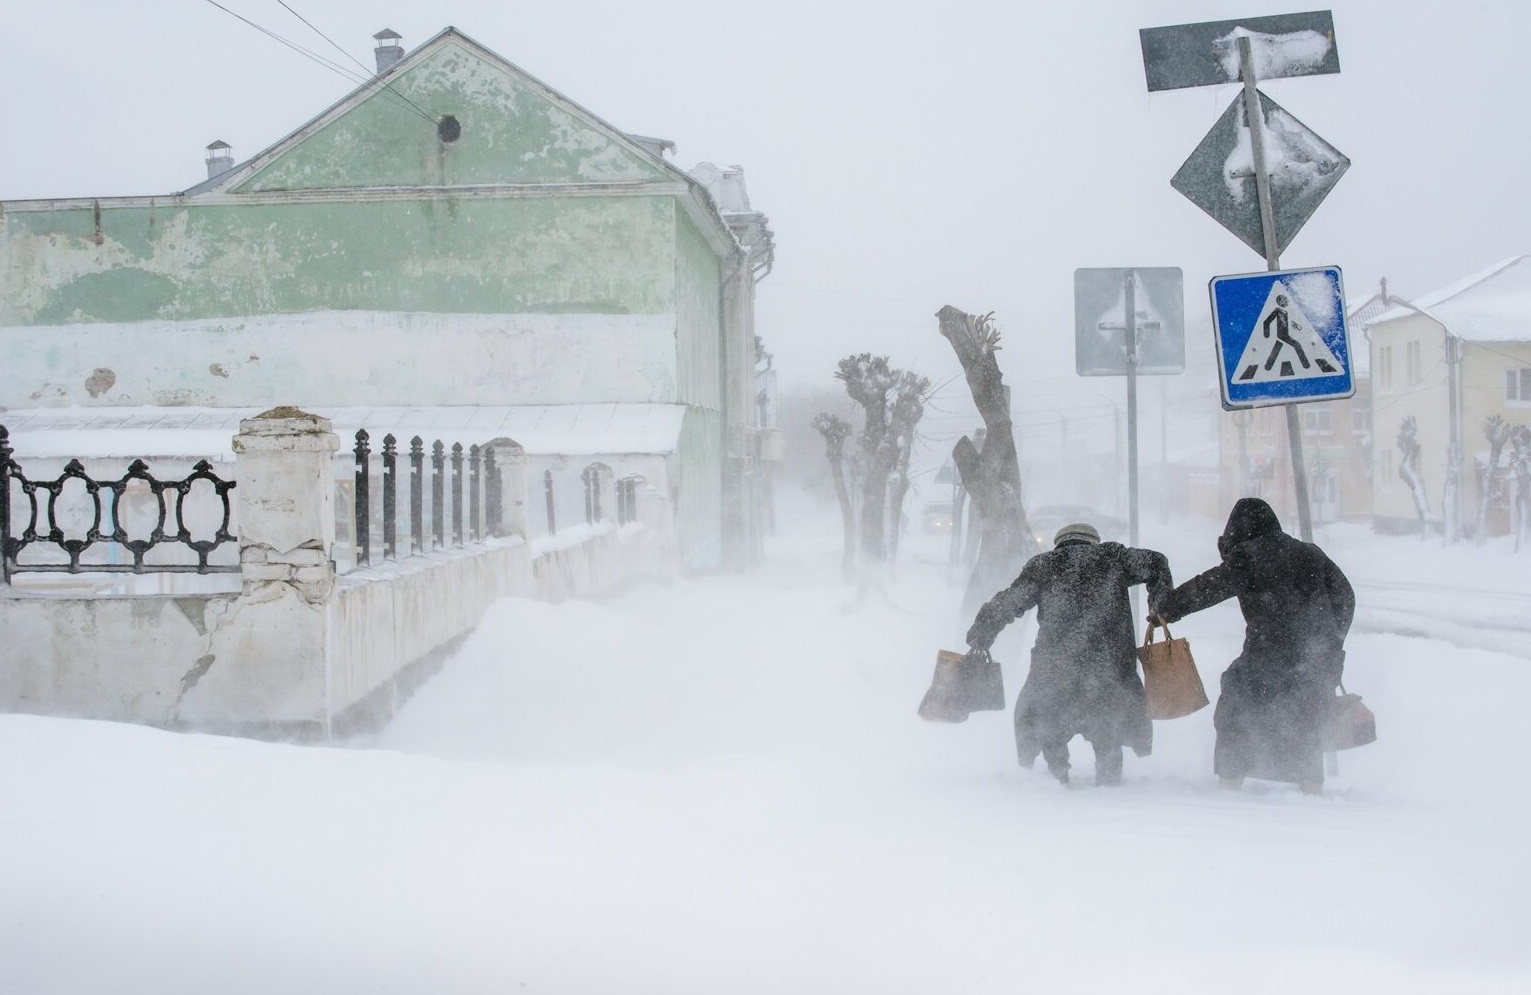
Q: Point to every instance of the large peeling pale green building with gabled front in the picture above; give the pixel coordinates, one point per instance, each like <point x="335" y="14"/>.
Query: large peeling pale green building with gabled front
<point x="454" y="233"/>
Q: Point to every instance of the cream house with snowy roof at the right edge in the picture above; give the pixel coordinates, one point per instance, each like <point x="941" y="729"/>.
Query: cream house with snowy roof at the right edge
<point x="1443" y="367"/>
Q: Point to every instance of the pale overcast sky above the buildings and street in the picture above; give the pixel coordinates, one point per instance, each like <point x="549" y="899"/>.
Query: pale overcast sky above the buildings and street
<point x="910" y="155"/>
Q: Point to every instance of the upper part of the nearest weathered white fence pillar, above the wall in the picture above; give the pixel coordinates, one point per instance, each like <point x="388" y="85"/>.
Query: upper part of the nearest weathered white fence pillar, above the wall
<point x="286" y="501"/>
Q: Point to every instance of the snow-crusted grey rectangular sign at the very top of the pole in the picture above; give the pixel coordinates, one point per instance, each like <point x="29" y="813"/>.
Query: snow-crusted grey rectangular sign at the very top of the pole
<point x="1282" y="45"/>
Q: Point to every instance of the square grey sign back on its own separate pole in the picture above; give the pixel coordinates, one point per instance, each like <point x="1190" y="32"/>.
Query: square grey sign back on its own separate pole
<point x="1100" y="321"/>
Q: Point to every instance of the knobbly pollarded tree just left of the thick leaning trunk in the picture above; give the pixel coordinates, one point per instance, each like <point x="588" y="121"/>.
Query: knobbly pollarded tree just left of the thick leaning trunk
<point x="892" y="403"/>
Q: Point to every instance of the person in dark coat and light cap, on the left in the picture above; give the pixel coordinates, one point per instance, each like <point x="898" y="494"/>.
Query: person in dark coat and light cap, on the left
<point x="1085" y="665"/>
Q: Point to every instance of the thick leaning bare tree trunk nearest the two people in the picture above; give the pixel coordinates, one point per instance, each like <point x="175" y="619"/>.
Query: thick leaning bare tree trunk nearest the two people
<point x="993" y="475"/>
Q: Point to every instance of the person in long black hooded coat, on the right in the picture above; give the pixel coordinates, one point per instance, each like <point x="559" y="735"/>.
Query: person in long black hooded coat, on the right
<point x="1298" y="608"/>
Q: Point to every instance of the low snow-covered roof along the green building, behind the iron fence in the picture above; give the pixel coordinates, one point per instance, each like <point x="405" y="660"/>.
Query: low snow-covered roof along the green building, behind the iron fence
<point x="207" y="432"/>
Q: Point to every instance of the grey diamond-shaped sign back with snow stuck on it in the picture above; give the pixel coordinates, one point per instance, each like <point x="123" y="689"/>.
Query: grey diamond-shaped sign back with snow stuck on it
<point x="1219" y="177"/>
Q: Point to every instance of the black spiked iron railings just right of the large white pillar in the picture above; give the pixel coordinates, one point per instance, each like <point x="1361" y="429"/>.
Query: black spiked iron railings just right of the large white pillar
<point x="481" y="488"/>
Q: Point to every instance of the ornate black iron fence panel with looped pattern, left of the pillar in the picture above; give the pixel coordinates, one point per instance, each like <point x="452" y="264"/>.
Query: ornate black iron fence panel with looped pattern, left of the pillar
<point x="131" y="514"/>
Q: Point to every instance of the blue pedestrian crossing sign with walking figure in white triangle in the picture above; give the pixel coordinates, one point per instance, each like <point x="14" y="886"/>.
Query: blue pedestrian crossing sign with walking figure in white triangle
<point x="1282" y="338"/>
